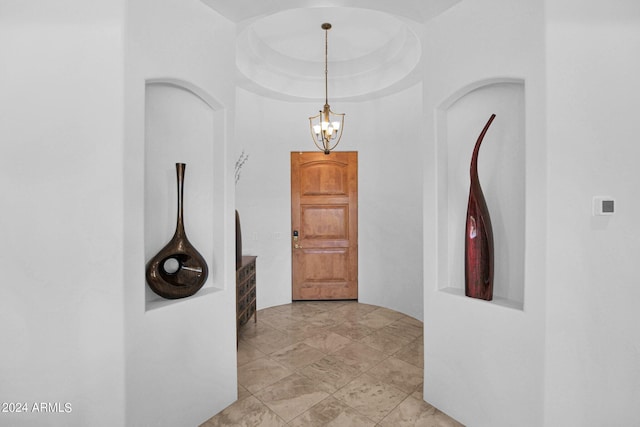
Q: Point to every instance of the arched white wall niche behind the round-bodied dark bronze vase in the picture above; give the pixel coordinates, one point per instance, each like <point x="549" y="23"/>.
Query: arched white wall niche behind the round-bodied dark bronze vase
<point x="183" y="124"/>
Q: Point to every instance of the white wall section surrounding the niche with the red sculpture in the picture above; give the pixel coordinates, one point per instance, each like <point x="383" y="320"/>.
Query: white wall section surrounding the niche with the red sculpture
<point x="484" y="363"/>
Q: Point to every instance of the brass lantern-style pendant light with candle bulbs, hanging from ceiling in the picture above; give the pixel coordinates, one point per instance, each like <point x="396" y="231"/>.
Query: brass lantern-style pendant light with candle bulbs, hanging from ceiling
<point x="326" y="127"/>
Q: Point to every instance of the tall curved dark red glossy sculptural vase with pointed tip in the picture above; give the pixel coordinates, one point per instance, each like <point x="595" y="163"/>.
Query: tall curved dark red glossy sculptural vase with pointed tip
<point x="478" y="247"/>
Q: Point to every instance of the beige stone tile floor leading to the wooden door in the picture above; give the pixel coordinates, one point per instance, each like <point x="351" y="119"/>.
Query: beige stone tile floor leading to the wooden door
<point x="326" y="363"/>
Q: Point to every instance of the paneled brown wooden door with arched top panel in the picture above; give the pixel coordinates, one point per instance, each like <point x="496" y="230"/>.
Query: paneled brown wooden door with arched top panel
<point x="324" y="225"/>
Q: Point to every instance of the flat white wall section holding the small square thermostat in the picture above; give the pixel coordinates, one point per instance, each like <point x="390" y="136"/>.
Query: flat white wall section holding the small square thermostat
<point x="593" y="322"/>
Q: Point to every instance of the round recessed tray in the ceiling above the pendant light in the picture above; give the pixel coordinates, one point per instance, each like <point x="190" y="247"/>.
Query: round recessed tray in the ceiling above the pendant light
<point x="374" y="50"/>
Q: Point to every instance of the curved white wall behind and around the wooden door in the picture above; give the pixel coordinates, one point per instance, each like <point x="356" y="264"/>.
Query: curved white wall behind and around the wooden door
<point x="386" y="132"/>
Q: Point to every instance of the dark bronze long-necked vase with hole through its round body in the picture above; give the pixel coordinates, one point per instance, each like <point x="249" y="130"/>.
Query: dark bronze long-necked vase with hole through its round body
<point x="178" y="270"/>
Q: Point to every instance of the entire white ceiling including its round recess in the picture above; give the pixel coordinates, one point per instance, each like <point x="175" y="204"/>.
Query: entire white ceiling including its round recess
<point x="374" y="45"/>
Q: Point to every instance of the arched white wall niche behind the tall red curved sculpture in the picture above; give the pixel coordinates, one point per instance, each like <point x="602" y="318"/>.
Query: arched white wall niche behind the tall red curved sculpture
<point x="501" y="168"/>
